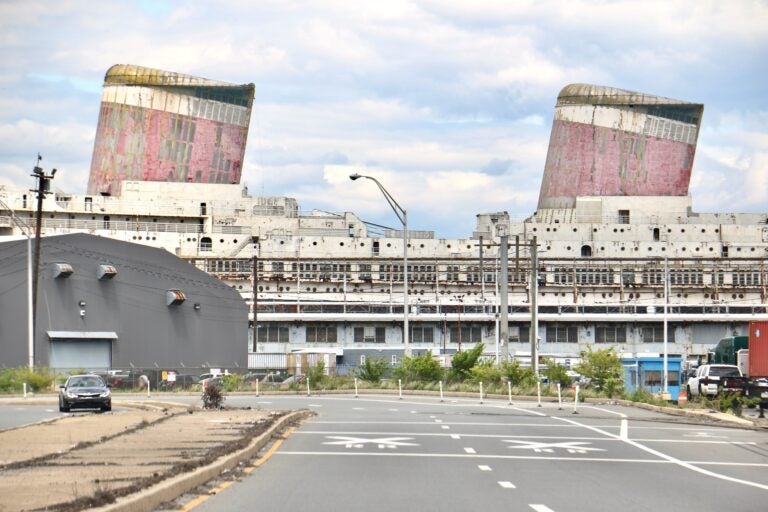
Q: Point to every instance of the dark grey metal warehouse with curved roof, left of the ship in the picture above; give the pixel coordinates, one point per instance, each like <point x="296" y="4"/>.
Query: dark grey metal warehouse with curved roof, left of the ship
<point x="104" y="303"/>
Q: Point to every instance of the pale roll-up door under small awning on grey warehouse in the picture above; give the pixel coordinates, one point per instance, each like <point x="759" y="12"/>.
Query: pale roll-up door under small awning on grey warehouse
<point x="87" y="350"/>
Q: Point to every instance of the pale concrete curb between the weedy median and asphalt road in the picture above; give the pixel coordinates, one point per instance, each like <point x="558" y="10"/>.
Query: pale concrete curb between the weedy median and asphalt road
<point x="168" y="490"/>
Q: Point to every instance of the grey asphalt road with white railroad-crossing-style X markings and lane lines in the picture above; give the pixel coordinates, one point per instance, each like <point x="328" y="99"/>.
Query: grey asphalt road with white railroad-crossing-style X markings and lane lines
<point x="381" y="453"/>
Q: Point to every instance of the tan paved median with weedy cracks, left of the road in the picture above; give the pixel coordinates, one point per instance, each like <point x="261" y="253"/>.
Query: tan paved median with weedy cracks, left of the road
<point x="84" y="461"/>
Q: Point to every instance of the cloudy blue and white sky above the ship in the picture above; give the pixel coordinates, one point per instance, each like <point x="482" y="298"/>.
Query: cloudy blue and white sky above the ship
<point x="448" y="103"/>
